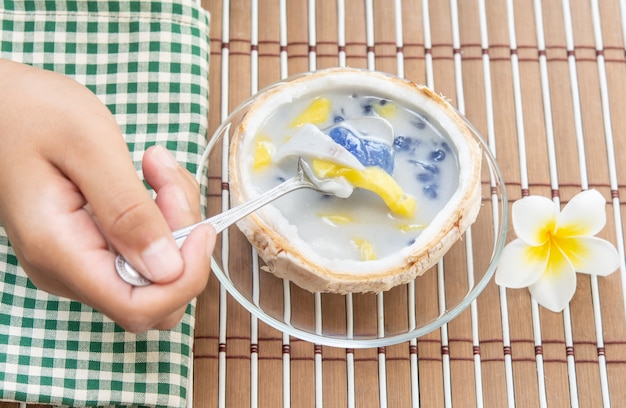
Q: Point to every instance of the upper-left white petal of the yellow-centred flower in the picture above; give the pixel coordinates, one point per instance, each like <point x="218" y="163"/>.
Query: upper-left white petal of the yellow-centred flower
<point x="533" y="217"/>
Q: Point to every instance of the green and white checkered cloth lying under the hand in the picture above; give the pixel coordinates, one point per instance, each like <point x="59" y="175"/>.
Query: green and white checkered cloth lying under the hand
<point x="148" y="62"/>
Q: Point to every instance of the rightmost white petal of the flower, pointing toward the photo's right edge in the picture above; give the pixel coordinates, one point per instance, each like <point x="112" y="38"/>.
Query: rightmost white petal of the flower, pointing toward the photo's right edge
<point x="591" y="255"/>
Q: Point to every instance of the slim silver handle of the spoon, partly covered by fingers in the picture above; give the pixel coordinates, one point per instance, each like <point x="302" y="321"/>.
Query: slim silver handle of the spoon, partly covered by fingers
<point x="220" y="222"/>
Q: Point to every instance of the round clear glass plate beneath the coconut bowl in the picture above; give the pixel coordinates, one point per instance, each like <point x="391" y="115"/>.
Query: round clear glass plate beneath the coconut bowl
<point x="365" y="320"/>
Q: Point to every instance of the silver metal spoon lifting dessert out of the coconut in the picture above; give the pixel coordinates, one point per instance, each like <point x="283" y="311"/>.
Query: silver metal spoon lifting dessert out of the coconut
<point x="304" y="178"/>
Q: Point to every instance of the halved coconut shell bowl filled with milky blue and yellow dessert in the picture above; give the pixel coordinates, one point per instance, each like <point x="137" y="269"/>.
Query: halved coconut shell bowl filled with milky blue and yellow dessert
<point x="371" y="241"/>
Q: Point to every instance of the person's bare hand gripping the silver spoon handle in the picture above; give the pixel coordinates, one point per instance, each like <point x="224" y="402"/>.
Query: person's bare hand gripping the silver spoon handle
<point x="69" y="193"/>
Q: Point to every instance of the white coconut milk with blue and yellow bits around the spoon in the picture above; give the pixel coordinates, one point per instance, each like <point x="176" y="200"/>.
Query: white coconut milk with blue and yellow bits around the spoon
<point x="425" y="166"/>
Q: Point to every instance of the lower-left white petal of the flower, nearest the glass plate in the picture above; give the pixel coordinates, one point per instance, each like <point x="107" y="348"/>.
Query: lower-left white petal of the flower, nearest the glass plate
<point x="520" y="265"/>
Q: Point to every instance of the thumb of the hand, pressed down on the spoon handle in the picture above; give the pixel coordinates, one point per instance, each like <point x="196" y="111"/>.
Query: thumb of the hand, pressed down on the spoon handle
<point x="124" y="210"/>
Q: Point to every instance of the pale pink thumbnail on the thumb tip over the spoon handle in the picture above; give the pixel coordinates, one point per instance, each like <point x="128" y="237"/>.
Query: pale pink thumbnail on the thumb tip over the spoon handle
<point x="162" y="259"/>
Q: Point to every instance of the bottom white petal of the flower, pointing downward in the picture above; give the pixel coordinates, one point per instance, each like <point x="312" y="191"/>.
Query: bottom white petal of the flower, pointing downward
<point x="557" y="285"/>
